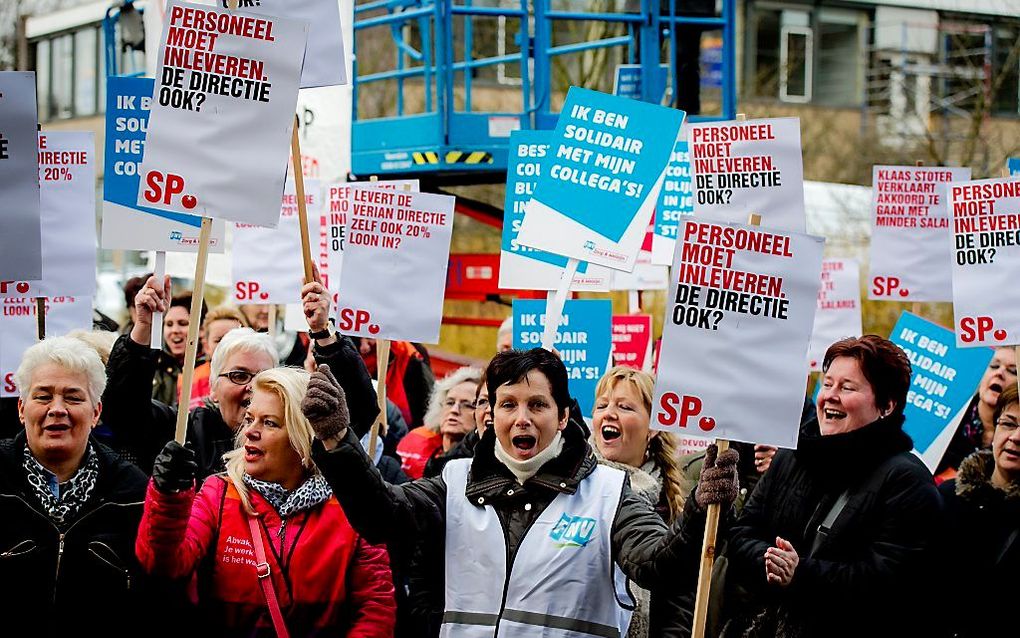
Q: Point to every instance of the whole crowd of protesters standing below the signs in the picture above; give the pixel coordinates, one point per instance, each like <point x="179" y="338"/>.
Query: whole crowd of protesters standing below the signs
<point x="490" y="507"/>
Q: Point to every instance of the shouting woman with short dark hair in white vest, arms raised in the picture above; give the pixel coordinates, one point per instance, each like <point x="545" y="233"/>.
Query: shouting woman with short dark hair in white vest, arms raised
<point x="539" y="537"/>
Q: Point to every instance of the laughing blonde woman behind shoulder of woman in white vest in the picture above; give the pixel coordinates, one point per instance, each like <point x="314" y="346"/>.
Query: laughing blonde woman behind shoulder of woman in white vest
<point x="624" y="440"/>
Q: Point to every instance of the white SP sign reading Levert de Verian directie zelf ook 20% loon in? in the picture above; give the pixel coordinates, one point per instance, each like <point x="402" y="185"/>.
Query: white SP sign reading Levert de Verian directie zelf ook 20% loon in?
<point x="395" y="265"/>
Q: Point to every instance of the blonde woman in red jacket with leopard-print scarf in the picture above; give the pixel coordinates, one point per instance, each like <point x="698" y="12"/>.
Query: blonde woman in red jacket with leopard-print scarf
<point x="318" y="572"/>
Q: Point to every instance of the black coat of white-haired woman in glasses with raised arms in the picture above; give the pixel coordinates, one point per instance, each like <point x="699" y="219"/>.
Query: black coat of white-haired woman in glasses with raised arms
<point x="142" y="427"/>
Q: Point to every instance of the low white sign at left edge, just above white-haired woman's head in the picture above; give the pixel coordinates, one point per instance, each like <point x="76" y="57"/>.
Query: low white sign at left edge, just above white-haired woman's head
<point x="19" y="330"/>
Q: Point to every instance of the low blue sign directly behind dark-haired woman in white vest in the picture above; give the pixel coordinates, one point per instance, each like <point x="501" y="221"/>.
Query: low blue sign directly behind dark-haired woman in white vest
<point x="584" y="340"/>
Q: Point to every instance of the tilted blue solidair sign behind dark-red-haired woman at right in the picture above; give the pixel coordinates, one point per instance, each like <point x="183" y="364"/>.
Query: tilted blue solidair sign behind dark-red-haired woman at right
<point x="943" y="381"/>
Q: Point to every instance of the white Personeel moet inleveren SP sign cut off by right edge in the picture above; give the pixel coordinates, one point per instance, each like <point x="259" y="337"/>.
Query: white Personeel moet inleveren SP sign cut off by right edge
<point x="987" y="262"/>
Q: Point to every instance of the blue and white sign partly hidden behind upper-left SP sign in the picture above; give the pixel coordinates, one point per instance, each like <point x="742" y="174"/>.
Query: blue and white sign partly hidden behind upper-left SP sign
<point x="126" y="225"/>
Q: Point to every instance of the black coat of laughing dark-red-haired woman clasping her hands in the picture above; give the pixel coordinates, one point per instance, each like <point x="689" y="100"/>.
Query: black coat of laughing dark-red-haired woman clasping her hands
<point x="864" y="576"/>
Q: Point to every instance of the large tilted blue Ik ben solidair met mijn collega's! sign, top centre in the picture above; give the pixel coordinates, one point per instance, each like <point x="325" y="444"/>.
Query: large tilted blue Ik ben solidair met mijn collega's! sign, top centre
<point x="601" y="178"/>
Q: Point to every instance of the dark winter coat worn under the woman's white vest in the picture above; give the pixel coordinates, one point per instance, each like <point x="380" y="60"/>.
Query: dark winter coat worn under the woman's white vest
<point x="403" y="516"/>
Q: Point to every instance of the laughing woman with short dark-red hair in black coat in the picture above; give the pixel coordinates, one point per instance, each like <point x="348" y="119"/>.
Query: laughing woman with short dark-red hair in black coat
<point x="836" y="538"/>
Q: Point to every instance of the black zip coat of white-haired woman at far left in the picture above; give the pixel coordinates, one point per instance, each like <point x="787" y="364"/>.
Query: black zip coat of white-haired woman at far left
<point x="86" y="580"/>
